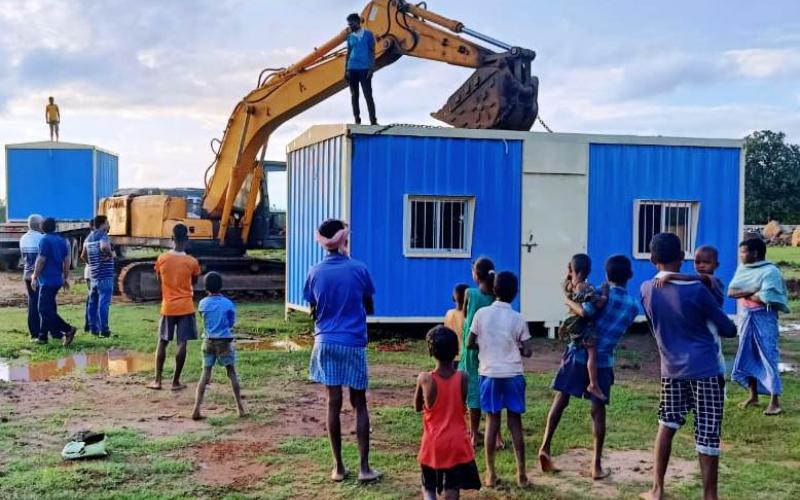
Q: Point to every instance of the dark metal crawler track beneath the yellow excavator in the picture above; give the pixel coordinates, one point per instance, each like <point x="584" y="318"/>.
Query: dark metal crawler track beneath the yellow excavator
<point x="243" y="275"/>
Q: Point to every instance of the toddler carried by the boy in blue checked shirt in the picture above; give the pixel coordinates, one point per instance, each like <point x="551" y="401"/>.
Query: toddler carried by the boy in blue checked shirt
<point x="577" y="328"/>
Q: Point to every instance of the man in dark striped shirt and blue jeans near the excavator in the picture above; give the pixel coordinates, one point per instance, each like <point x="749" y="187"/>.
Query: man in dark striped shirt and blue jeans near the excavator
<point x="98" y="253"/>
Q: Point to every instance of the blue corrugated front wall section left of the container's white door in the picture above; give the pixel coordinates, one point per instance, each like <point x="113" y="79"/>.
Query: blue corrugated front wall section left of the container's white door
<point x="386" y="169"/>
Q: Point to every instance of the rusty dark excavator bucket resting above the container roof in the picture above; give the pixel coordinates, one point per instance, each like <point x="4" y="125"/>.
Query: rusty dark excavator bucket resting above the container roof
<point x="500" y="95"/>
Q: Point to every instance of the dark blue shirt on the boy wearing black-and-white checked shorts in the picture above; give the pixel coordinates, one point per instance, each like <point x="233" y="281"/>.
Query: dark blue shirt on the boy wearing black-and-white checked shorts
<point x="679" y="313"/>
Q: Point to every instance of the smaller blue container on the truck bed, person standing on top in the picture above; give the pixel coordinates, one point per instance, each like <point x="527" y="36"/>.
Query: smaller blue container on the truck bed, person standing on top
<point x="58" y="180"/>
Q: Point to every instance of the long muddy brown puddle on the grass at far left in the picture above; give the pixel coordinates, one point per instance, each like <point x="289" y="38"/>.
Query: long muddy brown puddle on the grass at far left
<point x="112" y="363"/>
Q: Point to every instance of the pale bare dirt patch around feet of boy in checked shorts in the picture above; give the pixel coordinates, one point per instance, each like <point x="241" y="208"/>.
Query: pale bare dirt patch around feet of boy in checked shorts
<point x="627" y="466"/>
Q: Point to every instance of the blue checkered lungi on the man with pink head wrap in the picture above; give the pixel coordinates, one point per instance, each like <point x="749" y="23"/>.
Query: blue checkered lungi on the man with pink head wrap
<point x="335" y="364"/>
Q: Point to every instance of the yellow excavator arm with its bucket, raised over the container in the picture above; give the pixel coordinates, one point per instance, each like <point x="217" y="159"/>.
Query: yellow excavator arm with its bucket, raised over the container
<point x="500" y="94"/>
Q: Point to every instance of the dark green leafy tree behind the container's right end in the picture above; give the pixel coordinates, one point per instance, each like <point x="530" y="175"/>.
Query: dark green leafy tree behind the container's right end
<point x="772" y="178"/>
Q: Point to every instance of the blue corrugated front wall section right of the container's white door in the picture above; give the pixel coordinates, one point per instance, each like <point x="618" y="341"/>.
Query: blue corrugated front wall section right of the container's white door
<point x="621" y="174"/>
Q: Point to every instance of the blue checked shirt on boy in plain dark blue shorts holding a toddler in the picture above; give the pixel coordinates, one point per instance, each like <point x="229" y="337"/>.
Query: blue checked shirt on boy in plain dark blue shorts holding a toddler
<point x="611" y="322"/>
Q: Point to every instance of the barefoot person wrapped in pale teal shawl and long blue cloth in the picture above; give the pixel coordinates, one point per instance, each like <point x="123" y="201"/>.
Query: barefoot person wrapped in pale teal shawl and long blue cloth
<point x="759" y="284"/>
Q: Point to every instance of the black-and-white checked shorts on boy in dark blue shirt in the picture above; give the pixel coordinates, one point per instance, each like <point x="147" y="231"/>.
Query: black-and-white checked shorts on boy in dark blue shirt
<point x="706" y="398"/>
